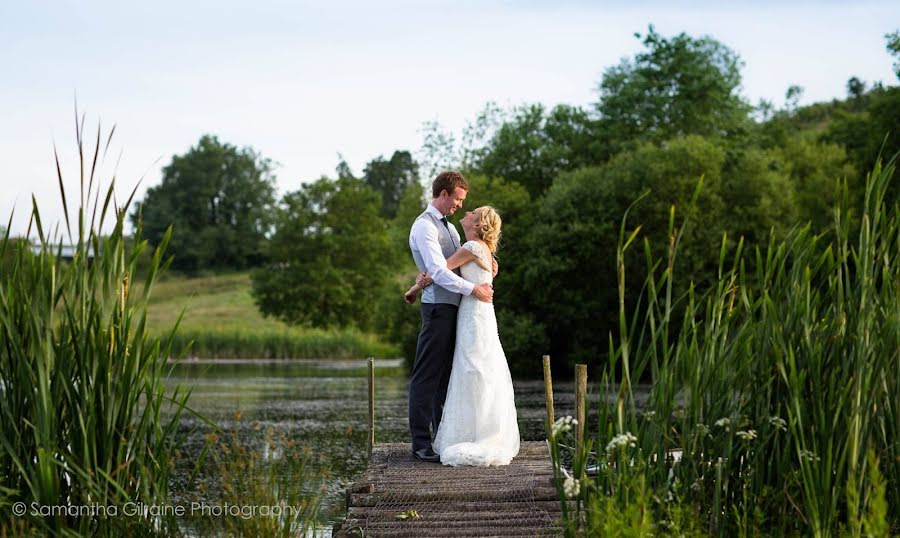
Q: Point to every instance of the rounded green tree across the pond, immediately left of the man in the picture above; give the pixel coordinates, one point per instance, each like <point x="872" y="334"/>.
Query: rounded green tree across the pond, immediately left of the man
<point x="330" y="257"/>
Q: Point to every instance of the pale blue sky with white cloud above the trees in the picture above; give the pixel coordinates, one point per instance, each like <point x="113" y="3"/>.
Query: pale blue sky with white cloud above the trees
<point x="301" y="82"/>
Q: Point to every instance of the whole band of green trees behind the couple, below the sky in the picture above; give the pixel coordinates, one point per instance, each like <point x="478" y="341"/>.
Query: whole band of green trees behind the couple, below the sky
<point x="334" y="252"/>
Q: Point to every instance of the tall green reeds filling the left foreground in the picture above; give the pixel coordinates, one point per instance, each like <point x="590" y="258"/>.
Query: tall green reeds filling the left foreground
<point x="81" y="420"/>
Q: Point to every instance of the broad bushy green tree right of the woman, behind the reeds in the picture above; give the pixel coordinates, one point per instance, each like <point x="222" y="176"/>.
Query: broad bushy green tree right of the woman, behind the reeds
<point x="570" y="273"/>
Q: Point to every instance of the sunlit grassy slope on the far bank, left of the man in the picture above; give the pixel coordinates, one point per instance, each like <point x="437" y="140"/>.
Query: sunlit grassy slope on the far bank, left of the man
<point x="221" y="320"/>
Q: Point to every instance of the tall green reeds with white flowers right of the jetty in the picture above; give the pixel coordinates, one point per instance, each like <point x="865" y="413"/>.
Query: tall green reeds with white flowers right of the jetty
<point x="781" y="387"/>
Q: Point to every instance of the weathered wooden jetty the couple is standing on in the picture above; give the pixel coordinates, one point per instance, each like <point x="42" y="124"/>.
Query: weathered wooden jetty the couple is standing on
<point x="401" y="497"/>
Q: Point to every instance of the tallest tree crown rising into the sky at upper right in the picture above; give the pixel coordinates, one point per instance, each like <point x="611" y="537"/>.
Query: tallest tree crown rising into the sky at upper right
<point x="677" y="86"/>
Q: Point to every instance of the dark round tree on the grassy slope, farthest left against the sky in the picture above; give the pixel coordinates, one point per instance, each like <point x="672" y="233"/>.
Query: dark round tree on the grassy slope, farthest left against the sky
<point x="220" y="200"/>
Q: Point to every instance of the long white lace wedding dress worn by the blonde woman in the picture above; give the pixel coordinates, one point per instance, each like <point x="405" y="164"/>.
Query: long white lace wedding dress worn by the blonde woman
<point x="478" y="426"/>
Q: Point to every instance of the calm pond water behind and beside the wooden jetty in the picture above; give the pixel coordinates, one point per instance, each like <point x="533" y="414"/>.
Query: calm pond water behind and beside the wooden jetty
<point x="322" y="405"/>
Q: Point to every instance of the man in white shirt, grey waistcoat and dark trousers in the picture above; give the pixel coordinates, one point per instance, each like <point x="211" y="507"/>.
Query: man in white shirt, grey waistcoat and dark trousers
<point x="432" y="240"/>
